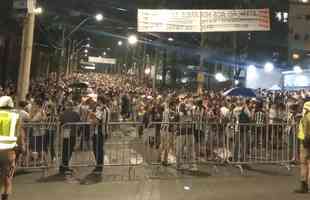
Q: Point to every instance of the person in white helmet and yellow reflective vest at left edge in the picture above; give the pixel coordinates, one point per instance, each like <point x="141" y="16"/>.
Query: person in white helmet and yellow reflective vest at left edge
<point x="11" y="138"/>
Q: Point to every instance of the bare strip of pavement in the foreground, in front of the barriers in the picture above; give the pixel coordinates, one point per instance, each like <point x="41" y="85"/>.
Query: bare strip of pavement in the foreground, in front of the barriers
<point x="257" y="185"/>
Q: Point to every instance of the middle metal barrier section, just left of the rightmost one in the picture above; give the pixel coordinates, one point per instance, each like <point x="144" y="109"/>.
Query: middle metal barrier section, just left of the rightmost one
<point x="186" y="144"/>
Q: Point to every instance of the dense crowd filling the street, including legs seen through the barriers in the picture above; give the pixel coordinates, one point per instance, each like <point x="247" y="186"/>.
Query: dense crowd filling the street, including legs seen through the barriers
<point x="97" y="99"/>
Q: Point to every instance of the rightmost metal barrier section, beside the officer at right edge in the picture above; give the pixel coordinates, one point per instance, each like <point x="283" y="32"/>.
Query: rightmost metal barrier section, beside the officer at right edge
<point x="263" y="144"/>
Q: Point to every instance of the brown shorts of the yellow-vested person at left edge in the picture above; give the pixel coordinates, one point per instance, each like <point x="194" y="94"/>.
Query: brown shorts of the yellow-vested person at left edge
<point x="7" y="163"/>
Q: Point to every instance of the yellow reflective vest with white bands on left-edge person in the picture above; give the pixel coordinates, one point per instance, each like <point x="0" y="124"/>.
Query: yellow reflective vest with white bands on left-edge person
<point x="8" y="124"/>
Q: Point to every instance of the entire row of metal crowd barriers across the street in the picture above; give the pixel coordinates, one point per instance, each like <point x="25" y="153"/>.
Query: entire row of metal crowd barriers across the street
<point x="131" y="144"/>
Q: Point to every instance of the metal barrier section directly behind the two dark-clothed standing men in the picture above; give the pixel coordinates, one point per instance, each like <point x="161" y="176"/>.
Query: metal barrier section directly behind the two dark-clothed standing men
<point x="101" y="145"/>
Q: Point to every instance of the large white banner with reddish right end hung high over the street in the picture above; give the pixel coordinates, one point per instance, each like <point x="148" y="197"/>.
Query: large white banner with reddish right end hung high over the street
<point x="203" y="20"/>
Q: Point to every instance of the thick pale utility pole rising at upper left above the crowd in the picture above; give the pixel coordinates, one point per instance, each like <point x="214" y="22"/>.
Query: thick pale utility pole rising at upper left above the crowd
<point x="26" y="55"/>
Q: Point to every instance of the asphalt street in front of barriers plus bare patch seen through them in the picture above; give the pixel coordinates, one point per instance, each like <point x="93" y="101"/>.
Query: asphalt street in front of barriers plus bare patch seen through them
<point x="148" y="182"/>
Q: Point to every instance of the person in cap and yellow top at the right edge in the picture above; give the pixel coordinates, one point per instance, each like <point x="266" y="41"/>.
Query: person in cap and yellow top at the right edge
<point x="304" y="137"/>
